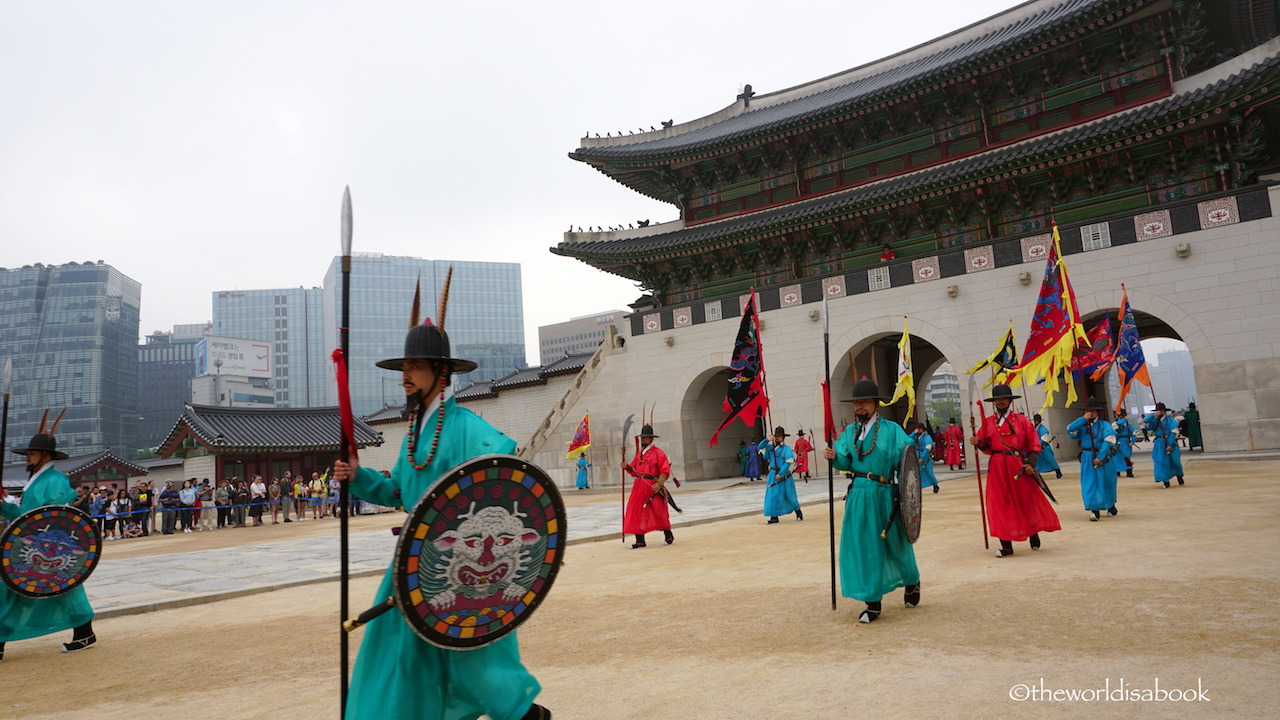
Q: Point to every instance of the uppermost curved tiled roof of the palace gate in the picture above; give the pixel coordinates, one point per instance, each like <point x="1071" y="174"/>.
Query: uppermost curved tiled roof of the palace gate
<point x="802" y="106"/>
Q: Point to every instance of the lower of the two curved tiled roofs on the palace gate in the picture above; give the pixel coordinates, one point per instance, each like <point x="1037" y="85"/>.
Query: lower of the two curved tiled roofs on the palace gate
<point x="860" y="198"/>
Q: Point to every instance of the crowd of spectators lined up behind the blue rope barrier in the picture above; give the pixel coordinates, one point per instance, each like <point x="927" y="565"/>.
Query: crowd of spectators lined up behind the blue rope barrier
<point x="196" y="507"/>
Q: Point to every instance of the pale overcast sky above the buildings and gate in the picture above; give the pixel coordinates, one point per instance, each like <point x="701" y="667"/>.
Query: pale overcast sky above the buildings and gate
<point x="202" y="147"/>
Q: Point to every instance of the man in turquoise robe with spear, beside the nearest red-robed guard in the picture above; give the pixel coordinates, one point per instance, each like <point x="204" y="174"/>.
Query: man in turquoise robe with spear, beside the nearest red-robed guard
<point x="871" y="567"/>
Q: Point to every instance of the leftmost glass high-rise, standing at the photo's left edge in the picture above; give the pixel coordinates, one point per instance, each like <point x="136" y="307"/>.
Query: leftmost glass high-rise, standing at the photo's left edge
<point x="72" y="332"/>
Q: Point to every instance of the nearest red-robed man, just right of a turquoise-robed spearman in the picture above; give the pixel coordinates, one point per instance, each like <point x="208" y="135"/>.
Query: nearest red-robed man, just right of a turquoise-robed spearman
<point x="1017" y="509"/>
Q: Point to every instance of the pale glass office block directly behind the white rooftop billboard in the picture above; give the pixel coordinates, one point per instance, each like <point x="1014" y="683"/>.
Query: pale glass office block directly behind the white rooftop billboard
<point x="294" y="322"/>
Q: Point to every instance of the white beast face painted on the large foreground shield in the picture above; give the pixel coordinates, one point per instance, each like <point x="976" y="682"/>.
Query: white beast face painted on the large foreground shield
<point x="487" y="554"/>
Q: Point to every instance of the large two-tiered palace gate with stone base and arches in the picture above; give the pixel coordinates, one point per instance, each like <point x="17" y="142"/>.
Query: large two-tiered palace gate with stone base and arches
<point x="1149" y="130"/>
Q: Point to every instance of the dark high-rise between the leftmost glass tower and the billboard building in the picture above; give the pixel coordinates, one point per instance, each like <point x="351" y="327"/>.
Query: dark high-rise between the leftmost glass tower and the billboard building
<point x="167" y="363"/>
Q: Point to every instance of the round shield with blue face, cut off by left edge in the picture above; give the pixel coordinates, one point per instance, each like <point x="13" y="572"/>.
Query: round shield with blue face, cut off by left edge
<point x="49" y="552"/>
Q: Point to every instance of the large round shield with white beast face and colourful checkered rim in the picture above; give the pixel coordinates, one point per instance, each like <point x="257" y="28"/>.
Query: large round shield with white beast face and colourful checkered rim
<point x="479" y="552"/>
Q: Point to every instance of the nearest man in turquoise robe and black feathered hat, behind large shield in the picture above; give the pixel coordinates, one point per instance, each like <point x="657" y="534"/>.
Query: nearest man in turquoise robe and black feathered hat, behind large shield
<point x="399" y="676"/>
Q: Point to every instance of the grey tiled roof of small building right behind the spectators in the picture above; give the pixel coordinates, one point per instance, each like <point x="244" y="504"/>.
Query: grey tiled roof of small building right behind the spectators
<point x="254" y="430"/>
